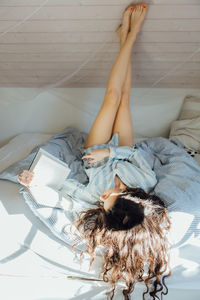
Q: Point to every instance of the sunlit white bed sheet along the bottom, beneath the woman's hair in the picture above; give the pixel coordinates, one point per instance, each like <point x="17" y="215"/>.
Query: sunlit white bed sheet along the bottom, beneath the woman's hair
<point x="34" y="264"/>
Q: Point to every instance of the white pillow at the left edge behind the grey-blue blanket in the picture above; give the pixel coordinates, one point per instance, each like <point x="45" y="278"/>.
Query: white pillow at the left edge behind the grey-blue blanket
<point x="19" y="147"/>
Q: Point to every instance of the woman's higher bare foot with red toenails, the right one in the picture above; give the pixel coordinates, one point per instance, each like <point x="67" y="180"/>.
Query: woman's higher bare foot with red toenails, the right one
<point x="137" y="18"/>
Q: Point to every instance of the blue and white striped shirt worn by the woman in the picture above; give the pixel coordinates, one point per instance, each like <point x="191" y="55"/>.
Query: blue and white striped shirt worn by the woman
<point x="126" y="162"/>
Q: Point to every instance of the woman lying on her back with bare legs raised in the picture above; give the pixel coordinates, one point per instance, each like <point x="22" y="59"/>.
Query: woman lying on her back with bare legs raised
<point x="130" y="223"/>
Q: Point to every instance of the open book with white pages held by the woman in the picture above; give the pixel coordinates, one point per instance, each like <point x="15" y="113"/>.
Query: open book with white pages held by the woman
<point x="49" y="176"/>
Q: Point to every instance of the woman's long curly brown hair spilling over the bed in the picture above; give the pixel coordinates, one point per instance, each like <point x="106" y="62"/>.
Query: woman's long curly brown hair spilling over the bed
<point x="133" y="234"/>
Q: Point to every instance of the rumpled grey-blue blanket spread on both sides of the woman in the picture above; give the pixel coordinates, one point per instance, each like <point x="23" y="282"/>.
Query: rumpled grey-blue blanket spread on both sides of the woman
<point x="177" y="172"/>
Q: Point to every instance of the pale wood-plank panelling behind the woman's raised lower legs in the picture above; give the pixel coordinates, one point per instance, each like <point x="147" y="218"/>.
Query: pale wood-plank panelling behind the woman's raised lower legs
<point x="73" y="43"/>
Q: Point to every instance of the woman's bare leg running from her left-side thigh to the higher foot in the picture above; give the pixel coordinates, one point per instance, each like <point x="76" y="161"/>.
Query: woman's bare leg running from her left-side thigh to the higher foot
<point x="102" y="127"/>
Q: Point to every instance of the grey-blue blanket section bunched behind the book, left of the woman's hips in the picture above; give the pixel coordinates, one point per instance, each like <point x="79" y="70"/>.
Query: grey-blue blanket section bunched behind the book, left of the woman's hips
<point x="65" y="145"/>
